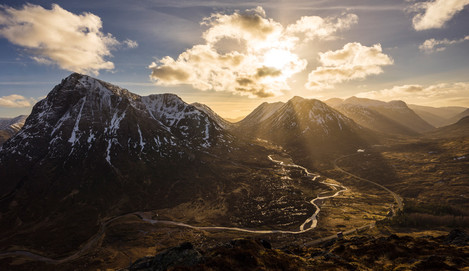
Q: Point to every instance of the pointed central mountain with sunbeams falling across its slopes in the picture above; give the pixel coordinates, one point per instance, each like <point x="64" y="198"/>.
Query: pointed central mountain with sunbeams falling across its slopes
<point x="309" y="129"/>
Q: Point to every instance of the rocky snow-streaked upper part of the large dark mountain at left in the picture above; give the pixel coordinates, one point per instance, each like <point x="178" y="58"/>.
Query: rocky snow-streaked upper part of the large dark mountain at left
<point x="83" y="114"/>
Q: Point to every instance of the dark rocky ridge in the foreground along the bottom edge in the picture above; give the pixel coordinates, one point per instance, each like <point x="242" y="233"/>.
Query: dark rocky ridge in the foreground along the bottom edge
<point x="447" y="252"/>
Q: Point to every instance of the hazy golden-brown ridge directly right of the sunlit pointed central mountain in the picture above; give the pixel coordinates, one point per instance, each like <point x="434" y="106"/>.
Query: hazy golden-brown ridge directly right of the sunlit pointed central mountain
<point x="394" y="116"/>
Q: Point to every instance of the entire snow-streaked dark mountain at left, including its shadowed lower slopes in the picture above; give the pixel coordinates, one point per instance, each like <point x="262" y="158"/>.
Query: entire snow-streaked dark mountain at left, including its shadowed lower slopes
<point x="91" y="150"/>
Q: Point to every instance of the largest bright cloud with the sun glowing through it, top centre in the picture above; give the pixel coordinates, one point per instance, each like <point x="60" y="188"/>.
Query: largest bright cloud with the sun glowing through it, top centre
<point x="246" y="53"/>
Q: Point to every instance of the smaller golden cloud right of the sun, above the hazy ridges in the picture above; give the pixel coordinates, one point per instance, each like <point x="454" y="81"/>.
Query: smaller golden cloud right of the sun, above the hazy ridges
<point x="353" y="61"/>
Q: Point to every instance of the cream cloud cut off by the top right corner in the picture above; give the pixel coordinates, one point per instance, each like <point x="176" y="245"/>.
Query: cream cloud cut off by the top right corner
<point x="436" y="13"/>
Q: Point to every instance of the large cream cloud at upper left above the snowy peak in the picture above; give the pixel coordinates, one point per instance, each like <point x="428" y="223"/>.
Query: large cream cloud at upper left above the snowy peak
<point x="57" y="36"/>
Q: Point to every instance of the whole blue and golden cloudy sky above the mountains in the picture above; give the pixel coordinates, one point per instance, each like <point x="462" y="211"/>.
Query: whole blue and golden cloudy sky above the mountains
<point x="235" y="55"/>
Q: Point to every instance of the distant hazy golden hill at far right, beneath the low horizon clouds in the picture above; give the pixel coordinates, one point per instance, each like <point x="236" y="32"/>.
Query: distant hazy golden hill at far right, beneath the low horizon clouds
<point x="438" y="116"/>
